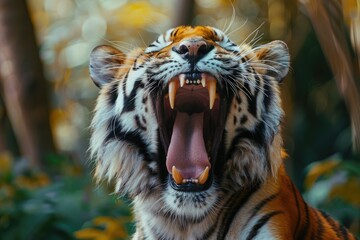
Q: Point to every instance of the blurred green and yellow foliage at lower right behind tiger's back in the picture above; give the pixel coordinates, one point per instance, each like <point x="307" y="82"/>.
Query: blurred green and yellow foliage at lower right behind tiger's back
<point x="333" y="186"/>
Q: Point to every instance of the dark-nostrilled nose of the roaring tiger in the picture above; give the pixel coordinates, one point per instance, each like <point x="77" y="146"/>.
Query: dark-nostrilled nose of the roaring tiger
<point x="193" y="48"/>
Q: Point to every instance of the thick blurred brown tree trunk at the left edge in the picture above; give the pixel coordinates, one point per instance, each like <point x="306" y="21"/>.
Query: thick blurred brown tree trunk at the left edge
<point x="24" y="86"/>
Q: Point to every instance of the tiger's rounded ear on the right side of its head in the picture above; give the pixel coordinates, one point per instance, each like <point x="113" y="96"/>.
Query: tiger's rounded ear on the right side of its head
<point x="275" y="55"/>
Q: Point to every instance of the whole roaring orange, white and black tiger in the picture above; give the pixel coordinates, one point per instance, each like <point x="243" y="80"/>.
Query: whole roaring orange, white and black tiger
<point x="189" y="128"/>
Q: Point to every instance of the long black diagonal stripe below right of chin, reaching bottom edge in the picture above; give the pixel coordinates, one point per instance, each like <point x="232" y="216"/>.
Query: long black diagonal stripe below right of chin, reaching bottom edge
<point x="233" y="210"/>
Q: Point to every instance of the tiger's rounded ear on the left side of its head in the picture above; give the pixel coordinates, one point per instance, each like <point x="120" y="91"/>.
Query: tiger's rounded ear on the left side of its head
<point x="104" y="64"/>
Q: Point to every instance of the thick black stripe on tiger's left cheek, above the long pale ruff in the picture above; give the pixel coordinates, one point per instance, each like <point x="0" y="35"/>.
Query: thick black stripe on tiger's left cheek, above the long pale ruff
<point x="134" y="138"/>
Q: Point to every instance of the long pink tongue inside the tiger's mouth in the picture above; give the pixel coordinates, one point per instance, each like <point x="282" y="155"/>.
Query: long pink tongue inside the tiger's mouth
<point x="187" y="148"/>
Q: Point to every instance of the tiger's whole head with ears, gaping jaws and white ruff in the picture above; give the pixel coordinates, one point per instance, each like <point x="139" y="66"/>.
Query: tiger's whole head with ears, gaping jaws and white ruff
<point x="188" y="118"/>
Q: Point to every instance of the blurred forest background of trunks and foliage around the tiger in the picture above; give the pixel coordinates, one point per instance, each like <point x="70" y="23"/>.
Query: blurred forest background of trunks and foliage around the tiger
<point x="47" y="97"/>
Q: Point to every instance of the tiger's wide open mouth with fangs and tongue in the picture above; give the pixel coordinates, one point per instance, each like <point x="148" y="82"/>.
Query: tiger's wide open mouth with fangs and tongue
<point x="191" y="115"/>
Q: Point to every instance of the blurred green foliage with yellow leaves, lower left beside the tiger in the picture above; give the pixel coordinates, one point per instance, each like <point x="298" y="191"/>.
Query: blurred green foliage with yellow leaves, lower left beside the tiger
<point x="33" y="206"/>
